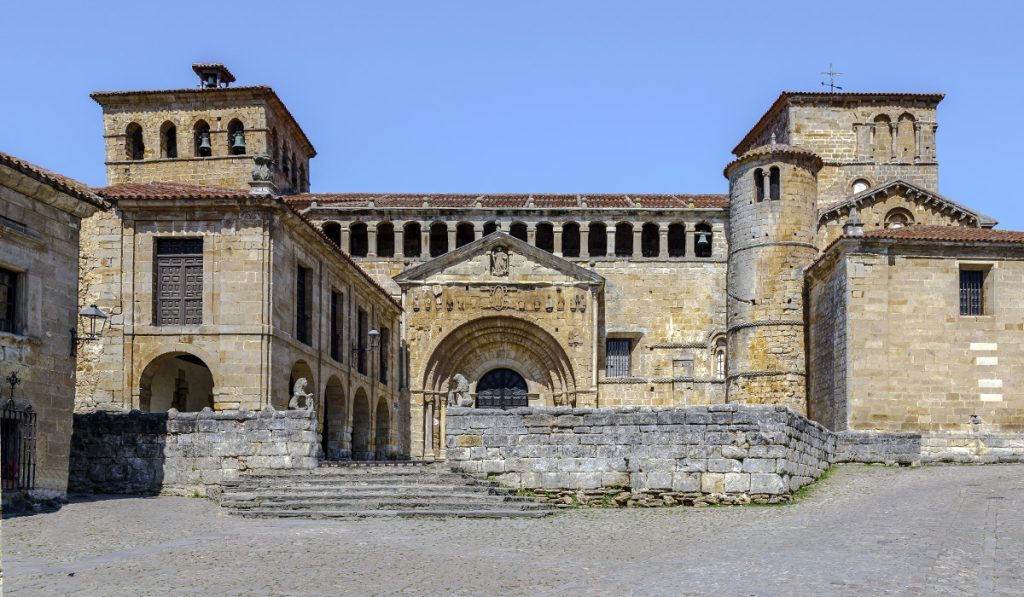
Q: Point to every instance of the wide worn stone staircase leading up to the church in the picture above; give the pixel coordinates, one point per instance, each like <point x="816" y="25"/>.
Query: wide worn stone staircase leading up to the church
<point x="369" y="490"/>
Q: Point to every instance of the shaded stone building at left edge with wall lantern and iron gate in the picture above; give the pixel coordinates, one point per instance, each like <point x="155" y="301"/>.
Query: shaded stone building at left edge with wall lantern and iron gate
<point x="40" y="216"/>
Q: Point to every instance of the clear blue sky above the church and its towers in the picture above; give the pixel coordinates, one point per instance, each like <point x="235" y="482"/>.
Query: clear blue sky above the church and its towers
<point x="532" y="97"/>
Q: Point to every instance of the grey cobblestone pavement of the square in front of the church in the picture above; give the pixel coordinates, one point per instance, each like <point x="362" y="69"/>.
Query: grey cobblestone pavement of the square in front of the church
<point x="864" y="531"/>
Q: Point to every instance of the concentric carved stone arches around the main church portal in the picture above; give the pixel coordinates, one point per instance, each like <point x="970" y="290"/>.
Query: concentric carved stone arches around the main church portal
<point x="480" y="347"/>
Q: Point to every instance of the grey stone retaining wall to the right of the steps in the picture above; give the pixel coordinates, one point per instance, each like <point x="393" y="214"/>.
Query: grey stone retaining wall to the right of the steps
<point x="693" y="455"/>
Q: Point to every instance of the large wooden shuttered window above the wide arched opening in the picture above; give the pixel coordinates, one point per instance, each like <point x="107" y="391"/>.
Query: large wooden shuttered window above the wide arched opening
<point x="180" y="282"/>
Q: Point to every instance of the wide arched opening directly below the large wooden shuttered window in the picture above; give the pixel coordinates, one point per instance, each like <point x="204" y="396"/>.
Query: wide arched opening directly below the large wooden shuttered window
<point x="180" y="381"/>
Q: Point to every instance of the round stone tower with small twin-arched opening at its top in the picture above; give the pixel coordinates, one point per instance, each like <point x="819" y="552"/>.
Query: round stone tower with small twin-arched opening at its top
<point x="774" y="220"/>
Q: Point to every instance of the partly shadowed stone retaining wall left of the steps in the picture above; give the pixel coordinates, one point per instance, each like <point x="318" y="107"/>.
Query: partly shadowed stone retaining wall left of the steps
<point x="186" y="453"/>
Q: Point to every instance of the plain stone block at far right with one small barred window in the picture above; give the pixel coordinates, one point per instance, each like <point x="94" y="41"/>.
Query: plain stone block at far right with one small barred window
<point x="890" y="351"/>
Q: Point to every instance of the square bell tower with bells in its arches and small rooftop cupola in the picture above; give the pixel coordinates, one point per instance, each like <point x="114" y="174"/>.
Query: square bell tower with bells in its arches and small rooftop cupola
<point x="212" y="135"/>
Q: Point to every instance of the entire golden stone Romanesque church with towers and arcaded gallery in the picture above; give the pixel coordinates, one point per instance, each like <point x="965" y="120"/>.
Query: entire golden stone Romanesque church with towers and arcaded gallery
<point x="833" y="279"/>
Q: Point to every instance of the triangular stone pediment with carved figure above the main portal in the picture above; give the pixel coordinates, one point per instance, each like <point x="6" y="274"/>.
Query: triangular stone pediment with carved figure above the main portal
<point x="498" y="259"/>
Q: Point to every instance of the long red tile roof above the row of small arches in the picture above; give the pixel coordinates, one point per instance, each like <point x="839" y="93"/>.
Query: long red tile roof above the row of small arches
<point x="509" y="201"/>
